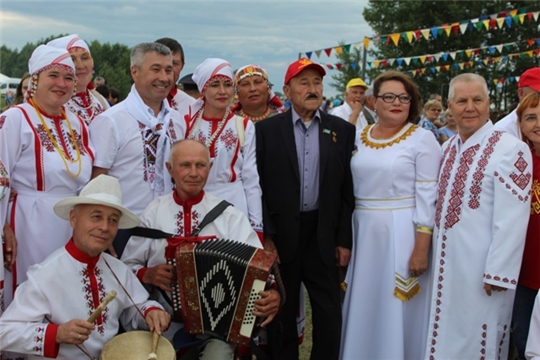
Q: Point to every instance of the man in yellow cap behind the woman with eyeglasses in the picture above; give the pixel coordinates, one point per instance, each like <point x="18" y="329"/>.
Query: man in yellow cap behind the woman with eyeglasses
<point x="351" y="110"/>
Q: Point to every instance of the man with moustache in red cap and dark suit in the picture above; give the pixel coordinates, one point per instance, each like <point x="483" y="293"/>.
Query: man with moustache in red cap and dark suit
<point x="303" y="158"/>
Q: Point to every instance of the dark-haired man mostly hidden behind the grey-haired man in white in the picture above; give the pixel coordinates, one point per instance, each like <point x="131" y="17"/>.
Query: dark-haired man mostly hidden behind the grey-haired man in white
<point x="178" y="99"/>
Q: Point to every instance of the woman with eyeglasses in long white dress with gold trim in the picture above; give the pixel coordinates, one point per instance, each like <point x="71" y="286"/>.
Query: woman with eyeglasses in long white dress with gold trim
<point x="395" y="173"/>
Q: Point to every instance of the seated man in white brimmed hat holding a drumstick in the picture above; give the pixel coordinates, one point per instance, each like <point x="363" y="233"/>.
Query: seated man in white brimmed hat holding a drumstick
<point x="47" y="316"/>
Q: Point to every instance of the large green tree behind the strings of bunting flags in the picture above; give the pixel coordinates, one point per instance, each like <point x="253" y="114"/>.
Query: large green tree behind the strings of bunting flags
<point x="390" y="17"/>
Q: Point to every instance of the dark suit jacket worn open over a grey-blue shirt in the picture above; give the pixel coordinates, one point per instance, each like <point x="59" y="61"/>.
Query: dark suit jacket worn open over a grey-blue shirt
<point x="278" y="170"/>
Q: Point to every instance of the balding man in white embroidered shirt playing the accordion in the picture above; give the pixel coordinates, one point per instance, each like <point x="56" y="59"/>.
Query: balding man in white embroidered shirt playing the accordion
<point x="179" y="213"/>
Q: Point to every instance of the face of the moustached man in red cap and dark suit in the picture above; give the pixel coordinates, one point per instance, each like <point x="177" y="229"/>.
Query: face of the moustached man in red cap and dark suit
<point x="305" y="91"/>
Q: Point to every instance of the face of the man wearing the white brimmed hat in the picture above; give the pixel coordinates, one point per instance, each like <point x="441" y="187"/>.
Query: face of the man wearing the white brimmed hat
<point x="94" y="227"/>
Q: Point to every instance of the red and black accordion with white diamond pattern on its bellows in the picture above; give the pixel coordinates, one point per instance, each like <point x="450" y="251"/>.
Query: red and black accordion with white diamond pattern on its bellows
<point x="219" y="281"/>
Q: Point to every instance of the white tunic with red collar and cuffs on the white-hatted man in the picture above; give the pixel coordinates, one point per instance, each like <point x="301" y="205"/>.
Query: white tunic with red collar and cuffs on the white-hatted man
<point x="70" y="285"/>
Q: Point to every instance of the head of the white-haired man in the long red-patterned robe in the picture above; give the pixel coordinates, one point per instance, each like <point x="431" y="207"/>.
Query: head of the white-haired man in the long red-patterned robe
<point x="470" y="107"/>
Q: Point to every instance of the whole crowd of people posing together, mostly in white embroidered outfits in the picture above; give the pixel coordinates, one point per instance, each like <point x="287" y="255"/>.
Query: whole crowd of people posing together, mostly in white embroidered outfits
<point x="413" y="229"/>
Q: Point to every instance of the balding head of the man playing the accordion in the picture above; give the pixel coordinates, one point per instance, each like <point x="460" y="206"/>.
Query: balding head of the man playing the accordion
<point x="189" y="168"/>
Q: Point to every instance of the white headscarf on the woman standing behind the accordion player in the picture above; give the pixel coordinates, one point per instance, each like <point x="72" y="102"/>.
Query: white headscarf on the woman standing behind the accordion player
<point x="202" y="75"/>
